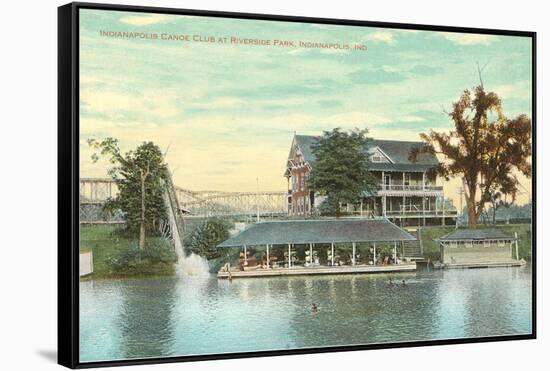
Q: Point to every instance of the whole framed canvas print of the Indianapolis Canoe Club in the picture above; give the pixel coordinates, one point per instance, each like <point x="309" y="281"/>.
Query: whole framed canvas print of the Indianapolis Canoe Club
<point x="239" y="185"/>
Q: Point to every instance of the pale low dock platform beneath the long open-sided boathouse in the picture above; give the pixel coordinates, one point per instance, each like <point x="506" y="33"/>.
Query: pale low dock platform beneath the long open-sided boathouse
<point x="317" y="270"/>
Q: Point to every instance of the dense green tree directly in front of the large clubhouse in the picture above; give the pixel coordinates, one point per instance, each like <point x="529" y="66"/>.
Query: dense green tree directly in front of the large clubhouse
<point x="341" y="169"/>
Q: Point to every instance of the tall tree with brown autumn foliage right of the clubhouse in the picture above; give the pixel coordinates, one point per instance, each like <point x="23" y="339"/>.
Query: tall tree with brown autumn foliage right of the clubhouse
<point x="485" y="148"/>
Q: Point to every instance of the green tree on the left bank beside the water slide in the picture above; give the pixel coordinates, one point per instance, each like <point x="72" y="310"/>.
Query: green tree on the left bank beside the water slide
<point x="140" y="175"/>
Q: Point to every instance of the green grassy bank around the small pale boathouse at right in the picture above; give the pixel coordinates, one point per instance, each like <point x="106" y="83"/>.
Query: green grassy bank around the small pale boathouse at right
<point x="431" y="249"/>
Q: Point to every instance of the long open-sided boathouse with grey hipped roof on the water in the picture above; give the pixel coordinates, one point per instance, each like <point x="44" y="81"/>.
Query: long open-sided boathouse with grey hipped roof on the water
<point x="380" y="240"/>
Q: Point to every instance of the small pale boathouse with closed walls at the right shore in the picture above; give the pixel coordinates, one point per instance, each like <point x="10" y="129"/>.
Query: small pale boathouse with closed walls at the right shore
<point x="471" y="248"/>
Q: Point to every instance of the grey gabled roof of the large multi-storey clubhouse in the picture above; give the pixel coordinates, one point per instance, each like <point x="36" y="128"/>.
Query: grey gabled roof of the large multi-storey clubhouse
<point x="398" y="151"/>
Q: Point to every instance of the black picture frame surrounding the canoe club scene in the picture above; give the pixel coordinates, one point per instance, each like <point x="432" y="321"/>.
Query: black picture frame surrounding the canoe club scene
<point x="68" y="182"/>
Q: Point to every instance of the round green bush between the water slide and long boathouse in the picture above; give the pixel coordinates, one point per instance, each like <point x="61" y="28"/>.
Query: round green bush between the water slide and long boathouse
<point x="208" y="235"/>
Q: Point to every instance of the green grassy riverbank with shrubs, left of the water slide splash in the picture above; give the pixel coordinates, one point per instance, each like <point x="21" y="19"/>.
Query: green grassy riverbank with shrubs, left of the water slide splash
<point x="116" y="255"/>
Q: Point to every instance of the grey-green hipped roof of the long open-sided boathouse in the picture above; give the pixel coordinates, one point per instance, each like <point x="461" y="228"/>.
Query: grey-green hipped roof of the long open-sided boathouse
<point x="318" y="231"/>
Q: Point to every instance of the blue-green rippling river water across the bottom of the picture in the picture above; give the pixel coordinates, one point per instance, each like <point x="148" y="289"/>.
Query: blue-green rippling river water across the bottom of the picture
<point x="124" y="319"/>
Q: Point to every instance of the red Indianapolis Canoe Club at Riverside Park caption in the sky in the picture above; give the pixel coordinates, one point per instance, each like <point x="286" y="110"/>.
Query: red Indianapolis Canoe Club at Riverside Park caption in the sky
<point x="232" y="40"/>
